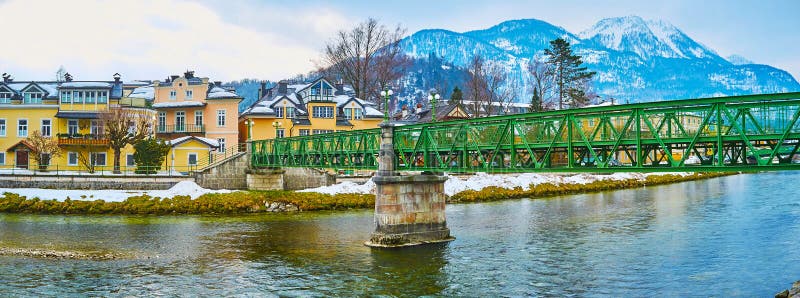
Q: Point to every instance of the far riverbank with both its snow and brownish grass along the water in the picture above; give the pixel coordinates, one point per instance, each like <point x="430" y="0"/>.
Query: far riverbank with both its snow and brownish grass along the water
<point x="477" y="188"/>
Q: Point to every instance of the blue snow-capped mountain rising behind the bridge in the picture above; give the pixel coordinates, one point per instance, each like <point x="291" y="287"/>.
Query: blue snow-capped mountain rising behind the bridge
<point x="635" y="59"/>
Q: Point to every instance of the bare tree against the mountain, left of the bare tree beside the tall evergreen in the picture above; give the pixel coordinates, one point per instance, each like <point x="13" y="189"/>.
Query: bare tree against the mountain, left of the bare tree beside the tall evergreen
<point x="487" y="88"/>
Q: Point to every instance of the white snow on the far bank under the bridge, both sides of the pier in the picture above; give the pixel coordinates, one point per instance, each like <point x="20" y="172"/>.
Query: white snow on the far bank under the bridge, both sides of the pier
<point x="479" y="181"/>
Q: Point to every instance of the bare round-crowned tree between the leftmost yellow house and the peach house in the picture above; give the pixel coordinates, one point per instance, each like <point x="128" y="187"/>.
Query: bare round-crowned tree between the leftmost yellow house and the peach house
<point x="125" y="127"/>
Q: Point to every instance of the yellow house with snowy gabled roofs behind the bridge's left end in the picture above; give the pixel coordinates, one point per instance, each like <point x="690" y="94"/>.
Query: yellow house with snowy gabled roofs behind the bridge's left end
<point x="287" y="110"/>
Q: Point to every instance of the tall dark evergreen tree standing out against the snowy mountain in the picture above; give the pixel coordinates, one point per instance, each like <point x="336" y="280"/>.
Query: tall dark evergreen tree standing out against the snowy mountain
<point x="570" y="76"/>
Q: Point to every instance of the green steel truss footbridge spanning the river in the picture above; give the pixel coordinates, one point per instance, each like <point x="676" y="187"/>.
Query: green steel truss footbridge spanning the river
<point x="738" y="133"/>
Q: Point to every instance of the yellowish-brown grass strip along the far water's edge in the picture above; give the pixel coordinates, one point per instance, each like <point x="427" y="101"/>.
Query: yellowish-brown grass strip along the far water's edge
<point x="258" y="201"/>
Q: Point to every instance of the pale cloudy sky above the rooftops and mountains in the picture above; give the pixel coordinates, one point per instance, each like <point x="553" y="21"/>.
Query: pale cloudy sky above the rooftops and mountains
<point x="228" y="40"/>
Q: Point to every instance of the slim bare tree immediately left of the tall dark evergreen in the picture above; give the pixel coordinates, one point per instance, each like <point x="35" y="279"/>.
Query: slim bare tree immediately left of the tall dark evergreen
<point x="542" y="81"/>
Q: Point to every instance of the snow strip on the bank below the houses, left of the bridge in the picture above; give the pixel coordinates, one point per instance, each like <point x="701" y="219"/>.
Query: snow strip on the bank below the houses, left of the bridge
<point x="183" y="188"/>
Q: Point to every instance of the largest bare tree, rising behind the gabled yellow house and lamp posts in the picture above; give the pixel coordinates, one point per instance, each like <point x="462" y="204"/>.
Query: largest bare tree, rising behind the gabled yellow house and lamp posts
<point x="367" y="56"/>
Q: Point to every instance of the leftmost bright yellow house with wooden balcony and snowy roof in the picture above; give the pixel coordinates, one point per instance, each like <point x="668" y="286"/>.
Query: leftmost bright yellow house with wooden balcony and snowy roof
<point x="68" y="112"/>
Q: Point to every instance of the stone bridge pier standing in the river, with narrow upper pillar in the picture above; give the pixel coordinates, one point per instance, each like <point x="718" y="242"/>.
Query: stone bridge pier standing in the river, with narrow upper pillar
<point x="409" y="210"/>
